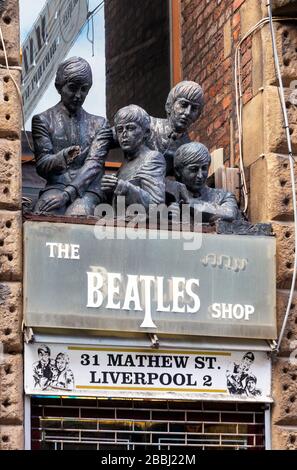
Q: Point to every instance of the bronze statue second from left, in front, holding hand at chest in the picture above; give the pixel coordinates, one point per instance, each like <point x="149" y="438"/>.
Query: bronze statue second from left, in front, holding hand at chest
<point x="141" y="179"/>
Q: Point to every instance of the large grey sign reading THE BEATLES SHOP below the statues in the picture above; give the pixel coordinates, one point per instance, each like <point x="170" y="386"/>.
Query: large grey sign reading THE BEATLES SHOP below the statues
<point x="73" y="280"/>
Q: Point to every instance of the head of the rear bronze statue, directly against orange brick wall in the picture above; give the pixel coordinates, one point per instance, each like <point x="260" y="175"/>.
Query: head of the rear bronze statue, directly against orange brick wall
<point x="184" y="105"/>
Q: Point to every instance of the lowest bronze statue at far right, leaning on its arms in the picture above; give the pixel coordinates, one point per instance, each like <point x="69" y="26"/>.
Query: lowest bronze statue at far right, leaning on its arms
<point x="191" y="164"/>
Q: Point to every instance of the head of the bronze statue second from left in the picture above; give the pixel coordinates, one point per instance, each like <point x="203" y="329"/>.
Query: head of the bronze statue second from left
<point x="132" y="125"/>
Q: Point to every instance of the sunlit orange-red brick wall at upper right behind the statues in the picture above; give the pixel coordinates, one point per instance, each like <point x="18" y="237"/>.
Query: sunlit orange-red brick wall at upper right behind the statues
<point x="210" y="31"/>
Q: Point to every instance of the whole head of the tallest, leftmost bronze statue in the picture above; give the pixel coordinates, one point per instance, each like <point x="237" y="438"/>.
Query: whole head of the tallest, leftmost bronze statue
<point x="73" y="82"/>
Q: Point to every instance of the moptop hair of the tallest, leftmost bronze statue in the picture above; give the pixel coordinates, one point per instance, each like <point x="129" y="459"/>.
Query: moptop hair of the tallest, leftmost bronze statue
<point x="76" y="69"/>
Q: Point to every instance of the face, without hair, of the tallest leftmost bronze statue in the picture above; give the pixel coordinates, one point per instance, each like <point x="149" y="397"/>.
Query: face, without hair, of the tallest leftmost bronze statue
<point x="73" y="94"/>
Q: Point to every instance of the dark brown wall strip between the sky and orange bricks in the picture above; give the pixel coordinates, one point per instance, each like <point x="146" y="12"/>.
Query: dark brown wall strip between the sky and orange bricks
<point x="137" y="55"/>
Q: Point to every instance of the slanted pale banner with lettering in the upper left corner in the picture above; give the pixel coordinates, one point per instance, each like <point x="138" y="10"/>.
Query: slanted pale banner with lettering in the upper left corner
<point x="47" y="44"/>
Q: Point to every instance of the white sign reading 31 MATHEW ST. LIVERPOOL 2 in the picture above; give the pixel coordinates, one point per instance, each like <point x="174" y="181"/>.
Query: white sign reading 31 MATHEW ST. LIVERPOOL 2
<point x="60" y="369"/>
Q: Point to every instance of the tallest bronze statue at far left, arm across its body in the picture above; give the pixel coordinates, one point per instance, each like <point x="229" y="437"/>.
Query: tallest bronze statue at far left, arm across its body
<point x="62" y="138"/>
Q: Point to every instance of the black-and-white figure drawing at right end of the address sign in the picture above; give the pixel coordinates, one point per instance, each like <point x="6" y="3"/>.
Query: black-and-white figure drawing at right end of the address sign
<point x="240" y="381"/>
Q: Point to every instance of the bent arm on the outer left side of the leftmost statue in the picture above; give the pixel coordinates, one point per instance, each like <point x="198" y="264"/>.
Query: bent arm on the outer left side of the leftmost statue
<point x="47" y="162"/>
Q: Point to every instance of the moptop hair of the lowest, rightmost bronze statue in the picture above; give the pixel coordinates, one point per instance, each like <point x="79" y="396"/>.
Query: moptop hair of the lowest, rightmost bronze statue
<point x="194" y="152"/>
